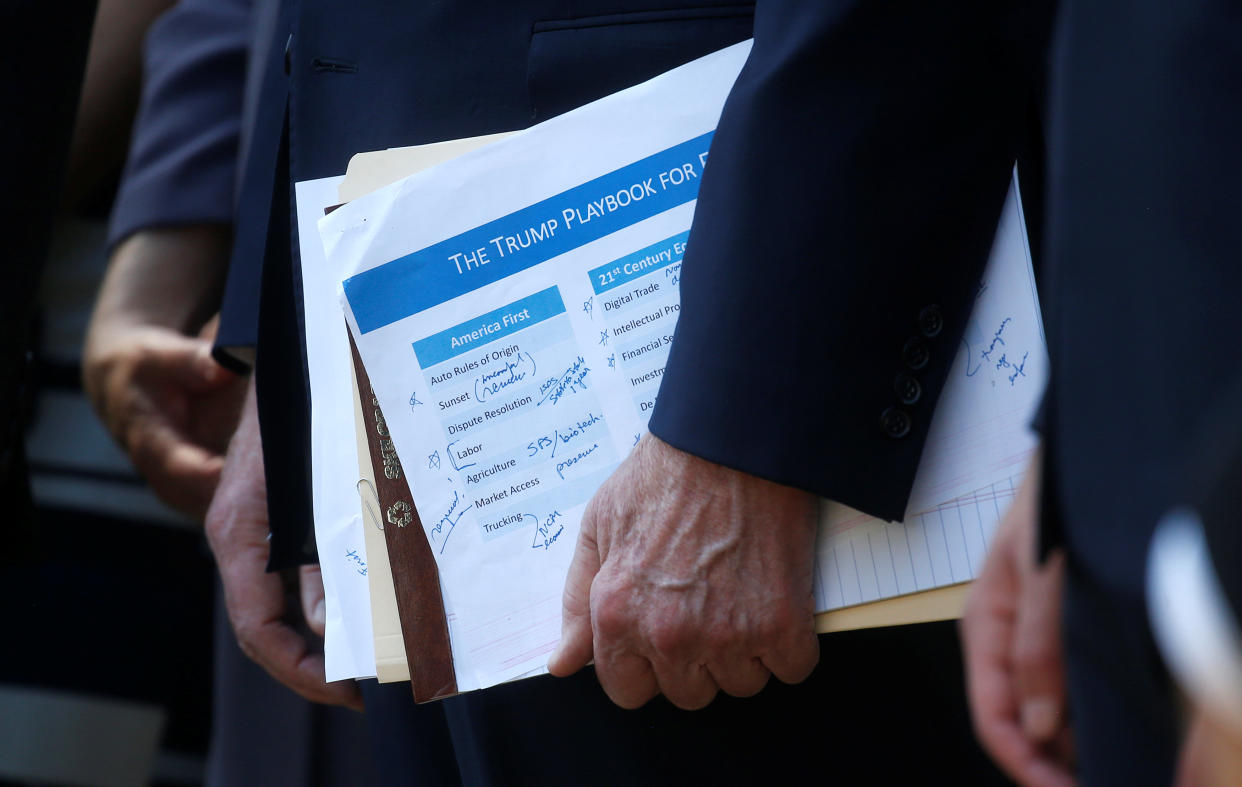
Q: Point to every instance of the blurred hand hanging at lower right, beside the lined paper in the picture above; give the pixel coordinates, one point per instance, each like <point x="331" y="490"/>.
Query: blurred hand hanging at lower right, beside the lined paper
<point x="1012" y="642"/>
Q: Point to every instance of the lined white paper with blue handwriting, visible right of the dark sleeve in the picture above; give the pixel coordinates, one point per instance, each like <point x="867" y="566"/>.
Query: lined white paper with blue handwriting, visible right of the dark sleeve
<point x="976" y="454"/>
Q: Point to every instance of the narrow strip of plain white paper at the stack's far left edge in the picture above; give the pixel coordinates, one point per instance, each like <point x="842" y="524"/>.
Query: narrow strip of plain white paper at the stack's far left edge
<point x="348" y="646"/>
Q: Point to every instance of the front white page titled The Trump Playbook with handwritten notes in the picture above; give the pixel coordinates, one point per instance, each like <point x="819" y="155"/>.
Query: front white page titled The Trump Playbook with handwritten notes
<point x="519" y="305"/>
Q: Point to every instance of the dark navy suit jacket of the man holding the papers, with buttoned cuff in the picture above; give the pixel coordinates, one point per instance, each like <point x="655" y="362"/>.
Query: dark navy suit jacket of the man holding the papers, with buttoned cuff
<point x="812" y="297"/>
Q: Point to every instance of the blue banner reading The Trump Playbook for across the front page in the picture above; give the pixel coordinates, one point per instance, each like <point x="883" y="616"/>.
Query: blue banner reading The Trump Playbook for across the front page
<point x="525" y="239"/>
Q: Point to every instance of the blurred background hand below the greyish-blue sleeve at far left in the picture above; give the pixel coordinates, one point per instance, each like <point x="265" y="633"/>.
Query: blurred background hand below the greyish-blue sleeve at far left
<point x="157" y="389"/>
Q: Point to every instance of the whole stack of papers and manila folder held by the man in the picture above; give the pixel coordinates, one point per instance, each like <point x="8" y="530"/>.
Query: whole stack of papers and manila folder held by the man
<point x="514" y="307"/>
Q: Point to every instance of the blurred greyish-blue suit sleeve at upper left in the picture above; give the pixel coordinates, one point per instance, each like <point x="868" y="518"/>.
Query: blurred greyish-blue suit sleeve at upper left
<point x="183" y="156"/>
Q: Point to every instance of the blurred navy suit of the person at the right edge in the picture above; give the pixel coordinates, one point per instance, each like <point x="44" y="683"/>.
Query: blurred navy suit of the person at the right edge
<point x="1142" y="281"/>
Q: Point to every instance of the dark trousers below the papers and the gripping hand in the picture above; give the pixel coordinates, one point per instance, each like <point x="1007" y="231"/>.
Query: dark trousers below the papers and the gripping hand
<point x="885" y="707"/>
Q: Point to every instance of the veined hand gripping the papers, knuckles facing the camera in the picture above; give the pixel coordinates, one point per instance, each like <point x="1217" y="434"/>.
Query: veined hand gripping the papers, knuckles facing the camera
<point x="689" y="579"/>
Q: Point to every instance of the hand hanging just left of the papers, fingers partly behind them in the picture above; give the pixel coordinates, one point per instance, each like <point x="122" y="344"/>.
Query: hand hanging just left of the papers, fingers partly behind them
<point x="238" y="533"/>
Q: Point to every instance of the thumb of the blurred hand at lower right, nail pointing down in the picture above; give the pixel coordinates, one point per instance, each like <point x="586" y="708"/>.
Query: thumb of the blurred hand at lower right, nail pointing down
<point x="1039" y="665"/>
